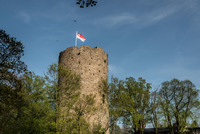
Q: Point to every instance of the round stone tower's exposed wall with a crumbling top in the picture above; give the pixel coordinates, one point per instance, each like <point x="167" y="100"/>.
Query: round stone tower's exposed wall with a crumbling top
<point x="92" y="65"/>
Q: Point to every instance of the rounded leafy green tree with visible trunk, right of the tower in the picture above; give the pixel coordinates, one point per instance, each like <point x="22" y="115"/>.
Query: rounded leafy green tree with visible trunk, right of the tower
<point x="136" y="100"/>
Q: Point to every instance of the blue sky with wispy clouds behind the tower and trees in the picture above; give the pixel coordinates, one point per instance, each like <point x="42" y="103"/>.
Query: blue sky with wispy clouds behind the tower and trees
<point x="154" y="39"/>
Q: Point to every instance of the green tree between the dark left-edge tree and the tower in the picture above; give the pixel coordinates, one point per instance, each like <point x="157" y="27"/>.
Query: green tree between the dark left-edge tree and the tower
<point x="37" y="116"/>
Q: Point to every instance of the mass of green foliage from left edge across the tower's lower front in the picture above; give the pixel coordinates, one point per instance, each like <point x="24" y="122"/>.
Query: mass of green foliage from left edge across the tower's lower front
<point x="49" y="104"/>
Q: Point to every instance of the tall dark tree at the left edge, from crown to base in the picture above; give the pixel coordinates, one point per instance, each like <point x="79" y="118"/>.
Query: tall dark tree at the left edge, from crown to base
<point x="11" y="91"/>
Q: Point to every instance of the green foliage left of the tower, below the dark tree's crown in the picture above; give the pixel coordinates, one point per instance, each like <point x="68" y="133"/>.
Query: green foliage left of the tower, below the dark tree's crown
<point x="29" y="111"/>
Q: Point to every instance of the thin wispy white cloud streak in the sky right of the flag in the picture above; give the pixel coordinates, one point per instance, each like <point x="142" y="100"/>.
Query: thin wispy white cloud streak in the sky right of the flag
<point x="140" y="19"/>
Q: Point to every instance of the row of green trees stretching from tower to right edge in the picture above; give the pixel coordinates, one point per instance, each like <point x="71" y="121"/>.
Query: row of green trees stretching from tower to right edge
<point x="176" y="103"/>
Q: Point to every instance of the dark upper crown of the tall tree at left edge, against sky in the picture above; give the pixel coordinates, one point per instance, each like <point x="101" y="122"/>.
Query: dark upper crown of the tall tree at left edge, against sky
<point x="11" y="51"/>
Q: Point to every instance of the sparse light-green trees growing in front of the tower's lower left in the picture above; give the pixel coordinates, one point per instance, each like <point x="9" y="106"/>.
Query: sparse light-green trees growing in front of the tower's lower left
<point x="72" y="108"/>
